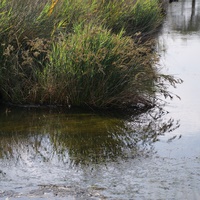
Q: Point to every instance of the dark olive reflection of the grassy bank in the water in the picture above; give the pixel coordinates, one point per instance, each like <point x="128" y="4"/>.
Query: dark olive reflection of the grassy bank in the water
<point x="78" y="138"/>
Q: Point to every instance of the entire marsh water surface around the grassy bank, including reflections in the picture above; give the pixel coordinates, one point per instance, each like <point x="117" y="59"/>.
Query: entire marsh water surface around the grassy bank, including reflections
<point x="58" y="153"/>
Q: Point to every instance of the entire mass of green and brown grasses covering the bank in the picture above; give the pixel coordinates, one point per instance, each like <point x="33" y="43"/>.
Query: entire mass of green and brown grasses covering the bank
<point x="80" y="52"/>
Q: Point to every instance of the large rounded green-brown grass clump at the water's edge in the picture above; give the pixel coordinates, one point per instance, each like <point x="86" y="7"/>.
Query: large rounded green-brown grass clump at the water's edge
<point x="97" y="68"/>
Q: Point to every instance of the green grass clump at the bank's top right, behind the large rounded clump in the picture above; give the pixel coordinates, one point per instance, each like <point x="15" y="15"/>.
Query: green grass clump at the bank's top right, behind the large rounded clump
<point x="132" y="15"/>
